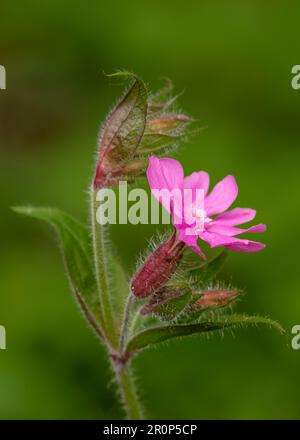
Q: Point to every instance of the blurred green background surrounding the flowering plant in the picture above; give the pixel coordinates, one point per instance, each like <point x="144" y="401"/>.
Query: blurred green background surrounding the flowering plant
<point x="233" y="59"/>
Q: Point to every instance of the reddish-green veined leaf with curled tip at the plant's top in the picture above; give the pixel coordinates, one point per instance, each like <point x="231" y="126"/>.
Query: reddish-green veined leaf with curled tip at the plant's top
<point x="124" y="127"/>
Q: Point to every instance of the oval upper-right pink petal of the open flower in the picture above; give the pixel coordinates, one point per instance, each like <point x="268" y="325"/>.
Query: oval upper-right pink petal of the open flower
<point x="222" y="196"/>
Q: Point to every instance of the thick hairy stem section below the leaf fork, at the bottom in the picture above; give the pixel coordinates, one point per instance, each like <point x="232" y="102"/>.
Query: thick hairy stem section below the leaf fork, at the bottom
<point x="128" y="394"/>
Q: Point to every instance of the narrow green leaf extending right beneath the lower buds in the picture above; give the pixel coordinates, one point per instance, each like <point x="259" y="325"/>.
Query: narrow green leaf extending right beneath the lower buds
<point x="156" y="335"/>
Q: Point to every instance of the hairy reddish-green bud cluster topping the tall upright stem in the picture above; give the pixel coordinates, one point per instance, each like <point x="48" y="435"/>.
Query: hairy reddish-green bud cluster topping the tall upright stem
<point x="138" y="126"/>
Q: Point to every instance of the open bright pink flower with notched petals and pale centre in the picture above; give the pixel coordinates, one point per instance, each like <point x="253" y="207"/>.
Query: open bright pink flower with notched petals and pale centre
<point x="217" y="227"/>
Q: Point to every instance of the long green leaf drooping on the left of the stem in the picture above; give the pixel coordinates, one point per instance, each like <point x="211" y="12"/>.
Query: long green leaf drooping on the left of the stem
<point x="77" y="255"/>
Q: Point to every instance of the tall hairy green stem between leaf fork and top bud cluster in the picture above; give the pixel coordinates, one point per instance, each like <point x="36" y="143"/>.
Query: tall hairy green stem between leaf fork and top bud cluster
<point x="100" y="257"/>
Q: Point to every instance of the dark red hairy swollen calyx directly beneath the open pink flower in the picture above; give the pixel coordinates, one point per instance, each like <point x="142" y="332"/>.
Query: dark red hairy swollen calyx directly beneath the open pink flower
<point x="158" y="267"/>
